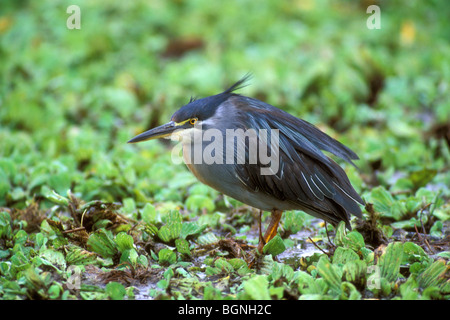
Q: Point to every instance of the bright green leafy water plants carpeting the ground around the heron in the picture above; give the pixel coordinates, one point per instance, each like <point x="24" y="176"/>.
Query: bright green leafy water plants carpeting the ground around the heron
<point x="70" y="99"/>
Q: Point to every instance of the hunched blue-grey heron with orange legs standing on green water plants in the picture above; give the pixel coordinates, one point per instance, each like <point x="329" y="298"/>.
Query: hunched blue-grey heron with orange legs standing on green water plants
<point x="263" y="157"/>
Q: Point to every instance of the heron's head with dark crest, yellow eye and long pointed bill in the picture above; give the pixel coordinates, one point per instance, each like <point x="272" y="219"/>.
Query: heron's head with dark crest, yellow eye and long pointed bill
<point x="191" y="116"/>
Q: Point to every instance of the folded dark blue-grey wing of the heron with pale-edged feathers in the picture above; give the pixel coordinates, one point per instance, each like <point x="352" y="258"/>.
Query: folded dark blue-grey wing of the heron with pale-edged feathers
<point x="305" y="175"/>
